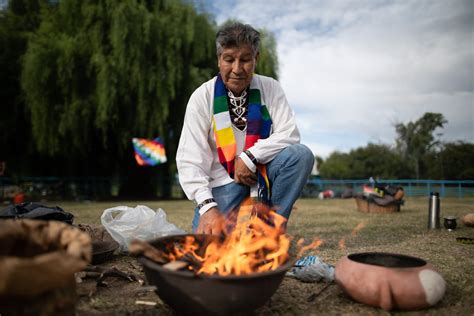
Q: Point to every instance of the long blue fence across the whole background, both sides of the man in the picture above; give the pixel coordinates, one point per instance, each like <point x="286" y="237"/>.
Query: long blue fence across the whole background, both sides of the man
<point x="102" y="188"/>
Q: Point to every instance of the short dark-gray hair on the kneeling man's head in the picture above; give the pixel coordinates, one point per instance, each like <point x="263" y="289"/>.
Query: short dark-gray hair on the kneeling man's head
<point x="236" y="34"/>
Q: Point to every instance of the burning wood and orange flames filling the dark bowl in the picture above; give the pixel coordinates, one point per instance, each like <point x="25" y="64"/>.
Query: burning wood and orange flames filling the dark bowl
<point x="256" y="244"/>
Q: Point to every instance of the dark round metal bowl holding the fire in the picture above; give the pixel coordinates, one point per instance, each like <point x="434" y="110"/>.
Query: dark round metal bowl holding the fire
<point x="188" y="293"/>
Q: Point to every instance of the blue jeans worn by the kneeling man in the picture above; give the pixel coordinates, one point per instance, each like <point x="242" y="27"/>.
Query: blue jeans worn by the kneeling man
<point x="287" y="172"/>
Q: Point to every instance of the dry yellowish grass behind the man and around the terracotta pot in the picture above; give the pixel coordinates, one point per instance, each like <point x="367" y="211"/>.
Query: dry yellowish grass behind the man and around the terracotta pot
<point x="332" y="220"/>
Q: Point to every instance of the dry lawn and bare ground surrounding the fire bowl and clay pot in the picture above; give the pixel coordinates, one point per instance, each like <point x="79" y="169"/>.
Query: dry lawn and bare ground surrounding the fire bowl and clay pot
<point x="331" y="220"/>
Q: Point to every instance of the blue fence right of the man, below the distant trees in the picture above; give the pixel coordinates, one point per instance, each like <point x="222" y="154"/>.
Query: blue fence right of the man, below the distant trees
<point x="412" y="188"/>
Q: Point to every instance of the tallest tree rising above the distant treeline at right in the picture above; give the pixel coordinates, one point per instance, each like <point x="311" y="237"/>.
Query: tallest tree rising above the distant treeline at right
<point x="415" y="139"/>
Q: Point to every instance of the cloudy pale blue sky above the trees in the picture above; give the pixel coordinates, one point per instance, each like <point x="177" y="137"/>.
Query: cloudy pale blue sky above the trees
<point x="351" y="70"/>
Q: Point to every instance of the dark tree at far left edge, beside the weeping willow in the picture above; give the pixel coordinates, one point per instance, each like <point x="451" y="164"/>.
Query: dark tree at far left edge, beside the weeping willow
<point x="20" y="18"/>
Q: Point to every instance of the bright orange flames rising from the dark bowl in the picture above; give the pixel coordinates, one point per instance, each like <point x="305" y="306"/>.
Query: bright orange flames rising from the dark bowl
<point x="256" y="244"/>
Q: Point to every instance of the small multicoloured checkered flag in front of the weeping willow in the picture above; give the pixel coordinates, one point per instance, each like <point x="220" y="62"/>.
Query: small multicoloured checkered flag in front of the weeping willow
<point x="149" y="152"/>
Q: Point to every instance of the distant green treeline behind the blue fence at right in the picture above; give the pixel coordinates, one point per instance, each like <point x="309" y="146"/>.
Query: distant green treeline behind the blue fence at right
<point x="417" y="153"/>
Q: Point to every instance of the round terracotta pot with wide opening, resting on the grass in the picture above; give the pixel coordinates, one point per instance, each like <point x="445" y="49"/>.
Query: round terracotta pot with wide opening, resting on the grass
<point x="390" y="281"/>
